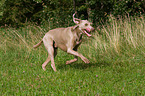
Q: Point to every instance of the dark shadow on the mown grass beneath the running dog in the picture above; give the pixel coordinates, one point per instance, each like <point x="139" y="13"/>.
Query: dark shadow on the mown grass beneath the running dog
<point x="83" y="65"/>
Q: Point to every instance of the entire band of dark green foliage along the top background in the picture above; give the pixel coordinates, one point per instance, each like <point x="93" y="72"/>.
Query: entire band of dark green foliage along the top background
<point x="58" y="13"/>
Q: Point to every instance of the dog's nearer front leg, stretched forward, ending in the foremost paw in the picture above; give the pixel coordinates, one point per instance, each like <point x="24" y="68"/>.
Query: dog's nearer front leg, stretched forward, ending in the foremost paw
<point x="70" y="51"/>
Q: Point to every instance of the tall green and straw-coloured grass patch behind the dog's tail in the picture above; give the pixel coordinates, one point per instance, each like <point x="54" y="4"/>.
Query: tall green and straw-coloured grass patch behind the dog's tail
<point x="20" y="39"/>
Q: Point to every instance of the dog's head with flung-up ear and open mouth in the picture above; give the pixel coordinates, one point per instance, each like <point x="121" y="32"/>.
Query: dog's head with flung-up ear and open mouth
<point x="84" y="25"/>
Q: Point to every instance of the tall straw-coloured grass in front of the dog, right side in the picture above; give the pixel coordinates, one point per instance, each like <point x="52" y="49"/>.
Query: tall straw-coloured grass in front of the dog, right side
<point x="120" y="37"/>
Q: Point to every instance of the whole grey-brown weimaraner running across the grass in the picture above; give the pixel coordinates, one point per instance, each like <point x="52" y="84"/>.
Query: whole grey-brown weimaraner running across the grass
<point x="68" y="39"/>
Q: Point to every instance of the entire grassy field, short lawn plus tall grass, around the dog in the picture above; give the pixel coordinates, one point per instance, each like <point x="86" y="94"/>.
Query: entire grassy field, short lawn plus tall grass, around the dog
<point x="116" y="52"/>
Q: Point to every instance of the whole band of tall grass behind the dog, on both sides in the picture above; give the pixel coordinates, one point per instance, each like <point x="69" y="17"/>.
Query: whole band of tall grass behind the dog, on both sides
<point x="117" y="36"/>
